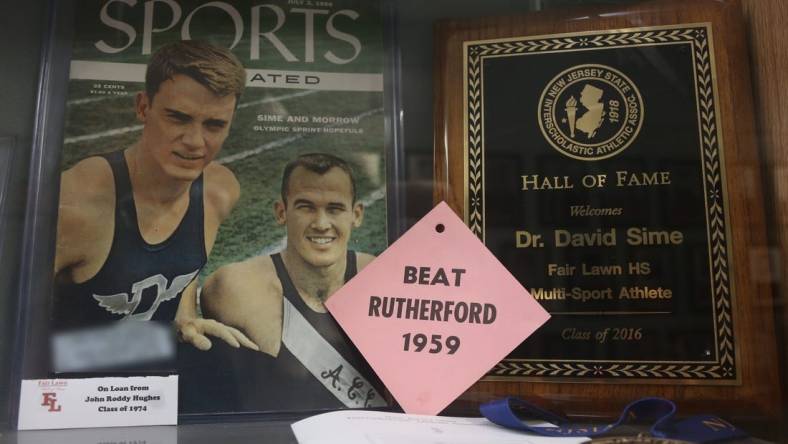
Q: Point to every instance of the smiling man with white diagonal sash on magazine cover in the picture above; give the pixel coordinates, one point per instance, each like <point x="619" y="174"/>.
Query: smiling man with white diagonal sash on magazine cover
<point x="306" y="362"/>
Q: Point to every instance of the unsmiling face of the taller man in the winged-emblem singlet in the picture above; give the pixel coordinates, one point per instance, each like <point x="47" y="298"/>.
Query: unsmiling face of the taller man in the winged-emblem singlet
<point x="185" y="126"/>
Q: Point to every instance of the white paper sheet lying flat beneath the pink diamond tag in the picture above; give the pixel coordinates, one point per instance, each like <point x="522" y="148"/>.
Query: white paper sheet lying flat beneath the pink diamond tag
<point x="365" y="427"/>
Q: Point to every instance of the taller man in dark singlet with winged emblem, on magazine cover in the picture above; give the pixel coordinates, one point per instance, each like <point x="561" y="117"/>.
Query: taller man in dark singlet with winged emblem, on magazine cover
<point x="136" y="226"/>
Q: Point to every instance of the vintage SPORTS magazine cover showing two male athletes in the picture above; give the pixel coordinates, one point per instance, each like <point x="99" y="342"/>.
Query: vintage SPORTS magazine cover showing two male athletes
<point x="223" y="173"/>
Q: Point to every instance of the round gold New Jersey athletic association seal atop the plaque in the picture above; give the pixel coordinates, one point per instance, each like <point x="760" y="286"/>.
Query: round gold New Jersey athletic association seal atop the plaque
<point x="590" y="112"/>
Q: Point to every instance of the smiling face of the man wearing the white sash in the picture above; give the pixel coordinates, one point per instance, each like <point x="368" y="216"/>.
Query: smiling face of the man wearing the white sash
<point x="319" y="215"/>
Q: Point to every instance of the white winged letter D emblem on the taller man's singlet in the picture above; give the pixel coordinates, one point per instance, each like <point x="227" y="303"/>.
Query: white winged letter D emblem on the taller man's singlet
<point x="120" y="304"/>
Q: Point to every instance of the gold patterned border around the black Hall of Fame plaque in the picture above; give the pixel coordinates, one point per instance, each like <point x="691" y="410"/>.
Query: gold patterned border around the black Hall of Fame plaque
<point x="723" y="367"/>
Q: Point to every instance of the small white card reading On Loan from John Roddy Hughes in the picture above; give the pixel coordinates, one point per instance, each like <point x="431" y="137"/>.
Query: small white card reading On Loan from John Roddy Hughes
<point x="98" y="402"/>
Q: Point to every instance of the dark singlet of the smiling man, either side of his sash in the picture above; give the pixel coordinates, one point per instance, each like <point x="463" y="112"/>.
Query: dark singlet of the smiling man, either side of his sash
<point x="242" y="380"/>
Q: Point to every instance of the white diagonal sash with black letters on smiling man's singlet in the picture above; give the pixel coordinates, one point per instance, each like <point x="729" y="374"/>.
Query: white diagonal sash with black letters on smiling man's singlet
<point x="325" y="363"/>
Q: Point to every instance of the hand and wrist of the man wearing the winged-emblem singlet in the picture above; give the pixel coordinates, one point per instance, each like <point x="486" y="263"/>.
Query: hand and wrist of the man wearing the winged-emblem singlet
<point x="194" y="329"/>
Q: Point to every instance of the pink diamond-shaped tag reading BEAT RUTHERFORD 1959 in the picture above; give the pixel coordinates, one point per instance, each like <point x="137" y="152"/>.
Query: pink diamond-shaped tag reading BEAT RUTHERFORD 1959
<point x="434" y="312"/>
